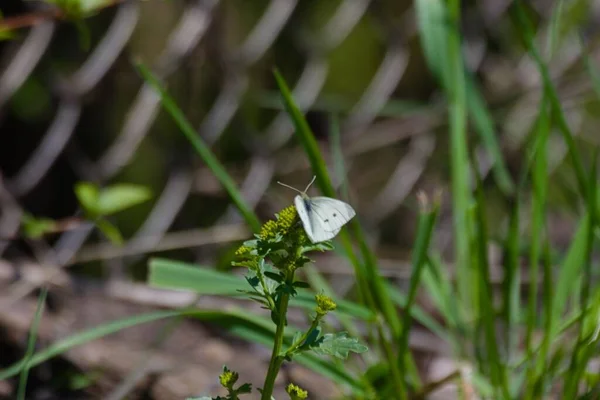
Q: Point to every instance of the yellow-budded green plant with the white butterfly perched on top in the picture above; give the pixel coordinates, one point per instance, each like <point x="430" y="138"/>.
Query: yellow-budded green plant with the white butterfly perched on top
<point x="273" y="259"/>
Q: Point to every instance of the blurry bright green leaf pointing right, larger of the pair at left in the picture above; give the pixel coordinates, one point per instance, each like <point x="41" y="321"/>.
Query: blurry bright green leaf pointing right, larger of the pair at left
<point x="121" y="196"/>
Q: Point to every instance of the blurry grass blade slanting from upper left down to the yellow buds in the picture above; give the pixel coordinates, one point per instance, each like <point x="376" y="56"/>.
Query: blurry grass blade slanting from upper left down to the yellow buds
<point x="201" y="148"/>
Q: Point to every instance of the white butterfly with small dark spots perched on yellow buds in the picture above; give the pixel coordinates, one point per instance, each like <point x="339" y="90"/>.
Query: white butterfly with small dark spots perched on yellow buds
<point x="322" y="217"/>
